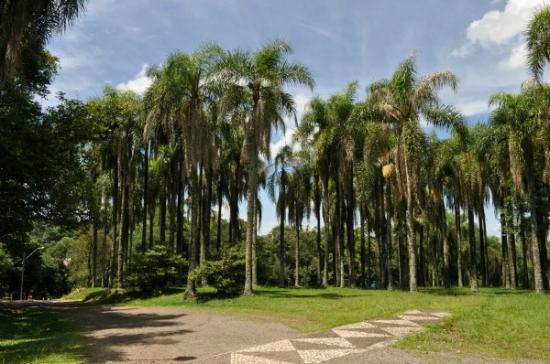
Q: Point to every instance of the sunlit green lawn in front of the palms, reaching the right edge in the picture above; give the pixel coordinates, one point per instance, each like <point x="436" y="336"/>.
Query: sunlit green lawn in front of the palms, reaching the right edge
<point x="493" y="323"/>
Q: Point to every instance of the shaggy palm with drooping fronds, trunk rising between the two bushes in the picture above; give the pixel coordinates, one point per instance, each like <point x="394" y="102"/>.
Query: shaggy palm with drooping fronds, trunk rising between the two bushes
<point x="182" y="89"/>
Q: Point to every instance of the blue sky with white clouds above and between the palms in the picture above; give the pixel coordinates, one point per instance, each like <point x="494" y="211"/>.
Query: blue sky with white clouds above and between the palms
<point x="481" y="41"/>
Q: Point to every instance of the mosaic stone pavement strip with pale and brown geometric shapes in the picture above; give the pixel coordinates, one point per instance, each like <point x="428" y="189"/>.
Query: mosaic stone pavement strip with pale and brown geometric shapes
<point x="336" y="343"/>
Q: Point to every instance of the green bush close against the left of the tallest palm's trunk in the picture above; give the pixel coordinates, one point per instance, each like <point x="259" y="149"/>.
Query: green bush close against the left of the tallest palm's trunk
<point x="225" y="274"/>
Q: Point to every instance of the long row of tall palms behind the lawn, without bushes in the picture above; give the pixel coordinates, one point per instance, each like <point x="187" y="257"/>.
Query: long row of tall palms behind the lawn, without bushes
<point x="200" y="137"/>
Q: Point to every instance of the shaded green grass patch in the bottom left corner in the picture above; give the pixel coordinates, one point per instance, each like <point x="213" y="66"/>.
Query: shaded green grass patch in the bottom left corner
<point x="32" y="335"/>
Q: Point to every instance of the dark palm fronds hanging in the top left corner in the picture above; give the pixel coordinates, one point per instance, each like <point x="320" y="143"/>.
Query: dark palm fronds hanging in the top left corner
<point x="26" y="27"/>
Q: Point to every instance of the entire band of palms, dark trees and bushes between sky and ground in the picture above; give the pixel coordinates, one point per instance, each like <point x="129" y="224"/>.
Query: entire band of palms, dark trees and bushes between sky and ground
<point x="104" y="183"/>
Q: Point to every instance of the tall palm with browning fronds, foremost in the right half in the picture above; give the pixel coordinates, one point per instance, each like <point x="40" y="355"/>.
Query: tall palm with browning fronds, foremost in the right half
<point x="404" y="99"/>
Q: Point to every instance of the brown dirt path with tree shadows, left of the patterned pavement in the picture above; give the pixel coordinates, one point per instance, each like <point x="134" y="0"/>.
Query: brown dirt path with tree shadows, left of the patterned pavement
<point x="164" y="335"/>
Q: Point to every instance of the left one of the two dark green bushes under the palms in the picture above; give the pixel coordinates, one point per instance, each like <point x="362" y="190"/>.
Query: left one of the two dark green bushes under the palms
<point x="154" y="271"/>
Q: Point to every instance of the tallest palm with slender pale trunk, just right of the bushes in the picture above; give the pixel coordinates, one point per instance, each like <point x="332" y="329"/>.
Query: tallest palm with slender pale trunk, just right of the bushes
<point x="261" y="77"/>
